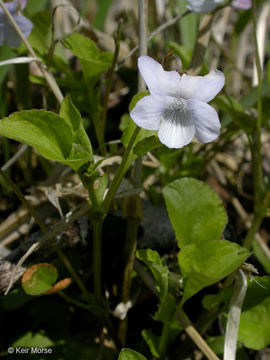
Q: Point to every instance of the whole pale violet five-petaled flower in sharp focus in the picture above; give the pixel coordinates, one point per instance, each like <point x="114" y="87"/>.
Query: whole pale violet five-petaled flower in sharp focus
<point x="177" y="105"/>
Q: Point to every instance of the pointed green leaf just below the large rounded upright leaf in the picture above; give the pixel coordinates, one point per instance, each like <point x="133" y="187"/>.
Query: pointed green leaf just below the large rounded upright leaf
<point x="207" y="262"/>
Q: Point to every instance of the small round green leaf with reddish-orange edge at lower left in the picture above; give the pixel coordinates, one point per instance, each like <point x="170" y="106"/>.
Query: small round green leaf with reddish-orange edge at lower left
<point x="38" y="279"/>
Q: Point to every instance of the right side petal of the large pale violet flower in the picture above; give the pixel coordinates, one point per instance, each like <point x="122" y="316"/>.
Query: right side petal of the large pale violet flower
<point x="207" y="125"/>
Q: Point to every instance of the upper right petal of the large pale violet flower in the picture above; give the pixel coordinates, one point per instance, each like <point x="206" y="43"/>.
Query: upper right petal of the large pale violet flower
<point x="203" y="88"/>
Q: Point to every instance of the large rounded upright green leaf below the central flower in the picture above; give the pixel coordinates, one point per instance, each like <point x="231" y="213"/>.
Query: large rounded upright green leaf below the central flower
<point x="195" y="211"/>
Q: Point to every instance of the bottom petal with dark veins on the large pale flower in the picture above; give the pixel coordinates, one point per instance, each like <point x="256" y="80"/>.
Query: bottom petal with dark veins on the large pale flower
<point x="177" y="127"/>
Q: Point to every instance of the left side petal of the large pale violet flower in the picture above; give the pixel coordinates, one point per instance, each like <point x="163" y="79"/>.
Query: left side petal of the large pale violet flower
<point x="148" y="111"/>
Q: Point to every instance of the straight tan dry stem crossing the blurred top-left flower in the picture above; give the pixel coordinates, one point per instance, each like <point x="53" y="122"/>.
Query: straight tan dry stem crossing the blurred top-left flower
<point x="47" y="75"/>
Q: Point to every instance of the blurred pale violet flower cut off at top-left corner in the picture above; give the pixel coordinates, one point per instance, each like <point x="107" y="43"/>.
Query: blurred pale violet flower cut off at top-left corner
<point x="7" y="32"/>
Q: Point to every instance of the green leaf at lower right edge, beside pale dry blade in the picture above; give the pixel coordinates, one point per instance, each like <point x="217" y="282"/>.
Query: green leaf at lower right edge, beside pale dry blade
<point x="254" y="330"/>
